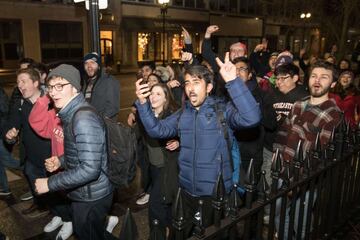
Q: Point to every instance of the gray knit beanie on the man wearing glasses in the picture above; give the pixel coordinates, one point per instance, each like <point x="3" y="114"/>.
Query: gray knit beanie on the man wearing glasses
<point x="69" y="73"/>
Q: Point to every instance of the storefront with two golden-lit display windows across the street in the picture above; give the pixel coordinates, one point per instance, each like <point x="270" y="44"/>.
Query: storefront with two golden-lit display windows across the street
<point x="151" y="40"/>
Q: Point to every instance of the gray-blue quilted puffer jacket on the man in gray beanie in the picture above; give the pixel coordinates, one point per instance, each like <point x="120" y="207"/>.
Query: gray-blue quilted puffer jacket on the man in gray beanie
<point x="85" y="158"/>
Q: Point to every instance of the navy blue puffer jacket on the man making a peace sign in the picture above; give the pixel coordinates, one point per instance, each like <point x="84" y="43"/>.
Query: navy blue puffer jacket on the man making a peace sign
<point x="203" y="151"/>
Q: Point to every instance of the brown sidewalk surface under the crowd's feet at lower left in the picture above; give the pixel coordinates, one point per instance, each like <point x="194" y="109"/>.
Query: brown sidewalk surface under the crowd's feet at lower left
<point x="18" y="226"/>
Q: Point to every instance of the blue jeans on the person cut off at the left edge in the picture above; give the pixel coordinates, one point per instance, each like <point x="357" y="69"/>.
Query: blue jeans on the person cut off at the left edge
<point x="6" y="160"/>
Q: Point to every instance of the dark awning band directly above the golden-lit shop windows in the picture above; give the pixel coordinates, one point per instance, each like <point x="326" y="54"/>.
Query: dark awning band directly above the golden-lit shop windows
<point x="156" y="25"/>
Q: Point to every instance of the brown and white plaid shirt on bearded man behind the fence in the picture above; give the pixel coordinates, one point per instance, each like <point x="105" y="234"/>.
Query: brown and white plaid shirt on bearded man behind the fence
<point x="304" y="122"/>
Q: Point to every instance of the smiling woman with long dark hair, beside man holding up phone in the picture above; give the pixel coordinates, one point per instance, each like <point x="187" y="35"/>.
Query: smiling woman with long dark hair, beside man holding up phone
<point x="161" y="157"/>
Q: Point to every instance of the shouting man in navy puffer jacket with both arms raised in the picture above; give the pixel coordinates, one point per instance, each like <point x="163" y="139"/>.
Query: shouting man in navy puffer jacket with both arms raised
<point x="203" y="153"/>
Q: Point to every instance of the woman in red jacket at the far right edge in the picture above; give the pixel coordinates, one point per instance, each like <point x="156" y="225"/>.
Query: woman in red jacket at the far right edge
<point x="347" y="97"/>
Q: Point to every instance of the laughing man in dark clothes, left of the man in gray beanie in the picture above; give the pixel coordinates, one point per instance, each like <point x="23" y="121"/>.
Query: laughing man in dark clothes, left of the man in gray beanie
<point x="37" y="149"/>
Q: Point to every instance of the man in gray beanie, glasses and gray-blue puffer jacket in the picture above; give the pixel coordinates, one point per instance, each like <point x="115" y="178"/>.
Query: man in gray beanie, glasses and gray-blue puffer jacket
<point x="85" y="159"/>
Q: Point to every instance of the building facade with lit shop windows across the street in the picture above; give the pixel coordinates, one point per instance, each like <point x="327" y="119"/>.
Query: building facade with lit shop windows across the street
<point x="133" y="31"/>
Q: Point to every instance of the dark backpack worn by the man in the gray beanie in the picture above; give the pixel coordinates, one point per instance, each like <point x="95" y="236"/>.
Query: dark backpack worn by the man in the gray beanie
<point x="121" y="151"/>
